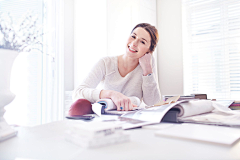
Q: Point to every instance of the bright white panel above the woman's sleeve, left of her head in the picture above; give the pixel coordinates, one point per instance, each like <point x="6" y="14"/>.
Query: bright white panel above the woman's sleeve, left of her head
<point x="90" y="36"/>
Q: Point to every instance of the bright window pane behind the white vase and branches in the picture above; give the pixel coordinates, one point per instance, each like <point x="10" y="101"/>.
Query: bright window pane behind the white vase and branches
<point x="26" y="75"/>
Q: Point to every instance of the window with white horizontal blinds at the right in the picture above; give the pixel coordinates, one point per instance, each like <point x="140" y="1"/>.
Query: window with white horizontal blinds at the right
<point x="211" y="48"/>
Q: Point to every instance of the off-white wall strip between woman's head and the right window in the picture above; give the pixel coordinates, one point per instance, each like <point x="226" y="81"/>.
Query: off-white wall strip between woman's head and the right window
<point x="170" y="62"/>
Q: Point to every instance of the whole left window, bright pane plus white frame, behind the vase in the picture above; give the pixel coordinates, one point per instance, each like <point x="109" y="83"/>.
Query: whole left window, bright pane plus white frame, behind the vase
<point x="37" y="79"/>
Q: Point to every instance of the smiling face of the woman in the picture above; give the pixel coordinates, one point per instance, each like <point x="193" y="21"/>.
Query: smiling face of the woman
<point x="138" y="43"/>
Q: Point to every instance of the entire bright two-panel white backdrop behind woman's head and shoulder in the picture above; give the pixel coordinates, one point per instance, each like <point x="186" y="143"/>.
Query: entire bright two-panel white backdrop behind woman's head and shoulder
<point x="103" y="28"/>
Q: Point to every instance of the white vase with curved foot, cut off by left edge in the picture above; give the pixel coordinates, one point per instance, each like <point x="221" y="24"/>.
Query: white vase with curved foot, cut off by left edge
<point x="7" y="58"/>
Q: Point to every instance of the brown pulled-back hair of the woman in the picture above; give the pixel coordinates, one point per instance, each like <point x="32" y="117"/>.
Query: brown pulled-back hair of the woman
<point x="153" y="33"/>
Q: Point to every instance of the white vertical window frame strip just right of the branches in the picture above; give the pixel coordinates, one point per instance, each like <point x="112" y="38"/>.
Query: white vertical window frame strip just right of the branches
<point x="53" y="68"/>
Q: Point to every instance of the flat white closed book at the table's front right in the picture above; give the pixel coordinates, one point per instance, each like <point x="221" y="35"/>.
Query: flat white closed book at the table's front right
<point x="199" y="132"/>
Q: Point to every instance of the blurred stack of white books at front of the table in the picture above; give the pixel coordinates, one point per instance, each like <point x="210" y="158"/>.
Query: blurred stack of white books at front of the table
<point x="96" y="134"/>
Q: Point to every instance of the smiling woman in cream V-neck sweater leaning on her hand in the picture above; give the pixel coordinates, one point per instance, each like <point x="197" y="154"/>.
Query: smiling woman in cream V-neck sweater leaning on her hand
<point x="127" y="78"/>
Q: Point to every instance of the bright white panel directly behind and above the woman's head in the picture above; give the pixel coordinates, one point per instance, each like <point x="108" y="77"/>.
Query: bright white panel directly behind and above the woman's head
<point x="122" y="16"/>
